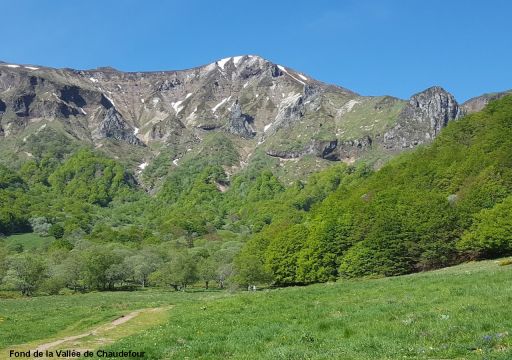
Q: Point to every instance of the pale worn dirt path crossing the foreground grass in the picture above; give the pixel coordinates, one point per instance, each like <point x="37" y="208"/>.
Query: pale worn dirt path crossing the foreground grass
<point x="105" y="334"/>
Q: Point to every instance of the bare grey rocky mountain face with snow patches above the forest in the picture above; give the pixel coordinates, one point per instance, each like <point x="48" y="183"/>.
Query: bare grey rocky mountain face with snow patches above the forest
<point x="257" y="105"/>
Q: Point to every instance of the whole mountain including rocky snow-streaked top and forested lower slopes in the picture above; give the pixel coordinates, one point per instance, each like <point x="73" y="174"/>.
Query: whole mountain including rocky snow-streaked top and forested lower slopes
<point x="230" y="159"/>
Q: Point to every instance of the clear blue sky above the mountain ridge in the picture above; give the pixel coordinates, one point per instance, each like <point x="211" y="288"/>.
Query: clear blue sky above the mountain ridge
<point x="374" y="47"/>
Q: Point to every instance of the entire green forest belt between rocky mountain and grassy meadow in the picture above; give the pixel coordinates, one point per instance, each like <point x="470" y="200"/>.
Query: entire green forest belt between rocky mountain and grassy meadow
<point x="435" y="206"/>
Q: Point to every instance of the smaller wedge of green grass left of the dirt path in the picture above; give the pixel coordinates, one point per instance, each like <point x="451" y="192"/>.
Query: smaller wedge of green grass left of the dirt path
<point x="49" y="317"/>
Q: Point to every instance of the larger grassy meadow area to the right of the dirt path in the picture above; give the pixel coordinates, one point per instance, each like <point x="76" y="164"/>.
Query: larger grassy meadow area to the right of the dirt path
<point x="442" y="314"/>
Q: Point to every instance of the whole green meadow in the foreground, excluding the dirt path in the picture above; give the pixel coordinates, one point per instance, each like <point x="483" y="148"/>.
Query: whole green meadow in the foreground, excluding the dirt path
<point x="461" y="312"/>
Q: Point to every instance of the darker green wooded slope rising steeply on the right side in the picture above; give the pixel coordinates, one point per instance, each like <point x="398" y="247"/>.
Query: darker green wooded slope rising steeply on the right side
<point x="435" y="206"/>
